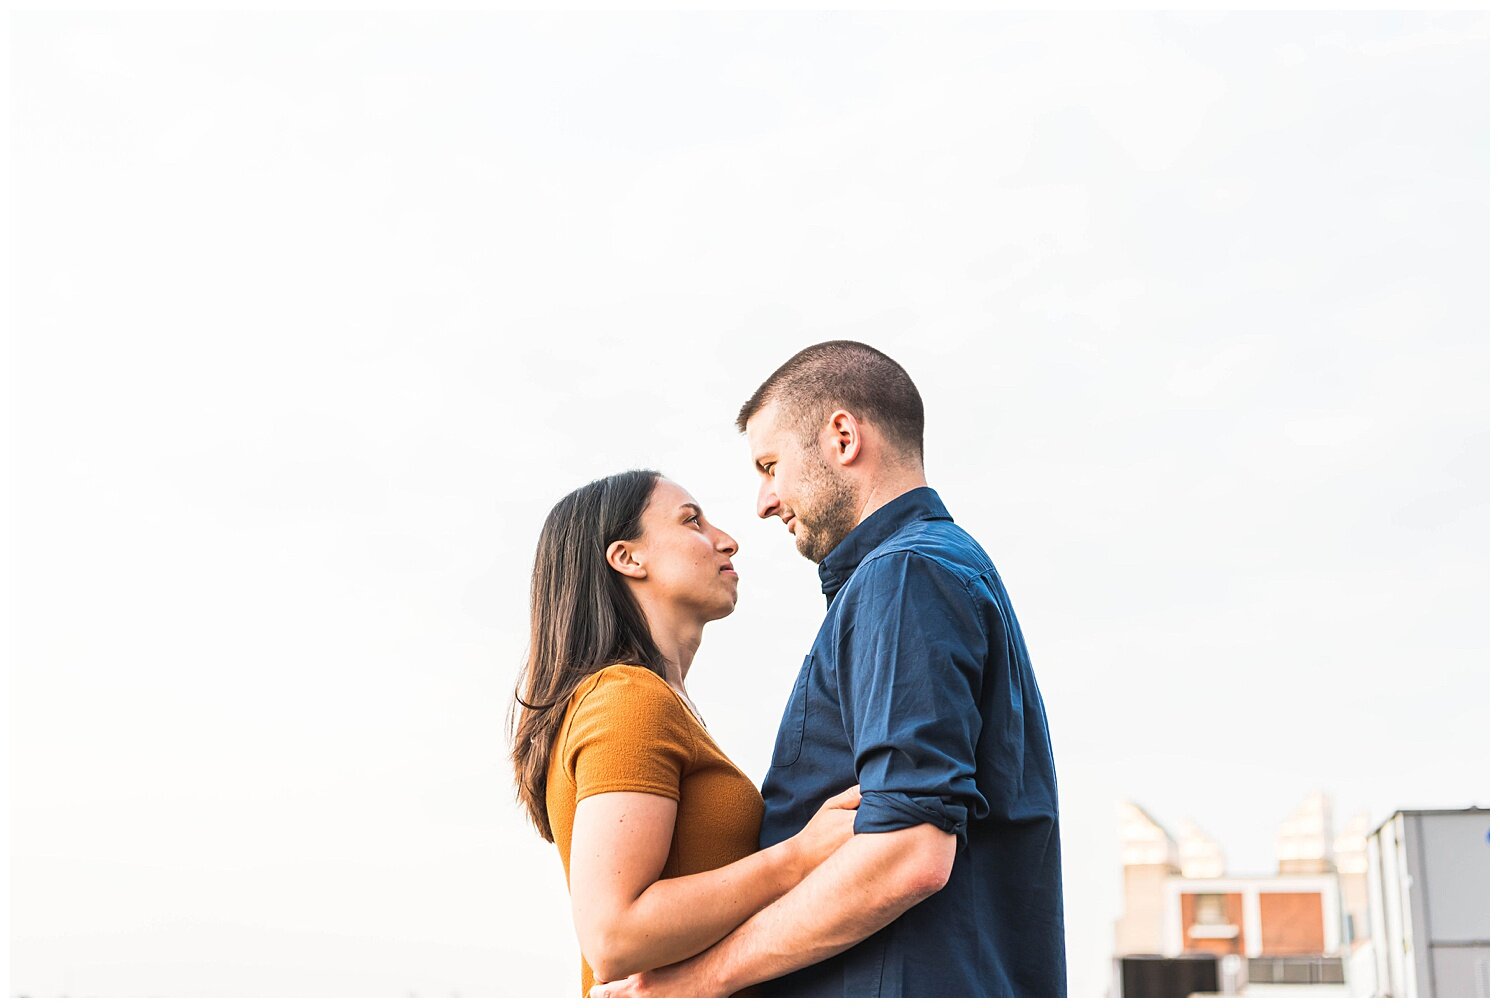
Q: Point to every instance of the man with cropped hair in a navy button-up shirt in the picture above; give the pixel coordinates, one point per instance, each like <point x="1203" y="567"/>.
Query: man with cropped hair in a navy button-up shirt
<point x="919" y="689"/>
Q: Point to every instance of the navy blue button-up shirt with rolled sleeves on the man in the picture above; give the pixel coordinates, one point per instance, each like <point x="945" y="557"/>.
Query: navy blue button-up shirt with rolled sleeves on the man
<point x="920" y="691"/>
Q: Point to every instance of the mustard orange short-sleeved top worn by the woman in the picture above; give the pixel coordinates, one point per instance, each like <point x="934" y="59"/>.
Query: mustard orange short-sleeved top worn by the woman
<point x="626" y="730"/>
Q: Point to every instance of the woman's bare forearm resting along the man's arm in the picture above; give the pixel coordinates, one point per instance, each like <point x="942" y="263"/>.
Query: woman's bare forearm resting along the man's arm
<point x="677" y="919"/>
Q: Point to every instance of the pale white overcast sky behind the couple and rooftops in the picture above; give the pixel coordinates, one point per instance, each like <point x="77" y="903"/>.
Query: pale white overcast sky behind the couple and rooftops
<point x="316" y="316"/>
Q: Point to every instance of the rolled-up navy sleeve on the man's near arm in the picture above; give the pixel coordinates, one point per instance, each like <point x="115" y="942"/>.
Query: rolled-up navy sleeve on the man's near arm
<point x="910" y="671"/>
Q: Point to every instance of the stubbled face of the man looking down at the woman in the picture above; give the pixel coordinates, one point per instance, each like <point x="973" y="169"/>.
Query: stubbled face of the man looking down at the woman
<point x="800" y="485"/>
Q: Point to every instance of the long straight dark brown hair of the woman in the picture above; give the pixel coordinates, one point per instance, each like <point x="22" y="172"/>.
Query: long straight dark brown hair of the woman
<point x="583" y="620"/>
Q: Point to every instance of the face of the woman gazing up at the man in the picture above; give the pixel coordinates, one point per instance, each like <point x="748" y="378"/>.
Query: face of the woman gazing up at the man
<point x="686" y="559"/>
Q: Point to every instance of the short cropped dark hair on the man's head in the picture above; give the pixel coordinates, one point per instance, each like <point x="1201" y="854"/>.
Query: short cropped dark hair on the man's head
<point x="850" y="376"/>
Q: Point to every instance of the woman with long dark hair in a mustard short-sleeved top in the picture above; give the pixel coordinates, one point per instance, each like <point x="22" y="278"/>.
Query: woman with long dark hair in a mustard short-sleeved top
<point x="658" y="829"/>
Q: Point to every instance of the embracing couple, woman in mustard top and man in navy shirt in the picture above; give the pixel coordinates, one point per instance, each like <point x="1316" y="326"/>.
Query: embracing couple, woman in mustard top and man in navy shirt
<point x="905" y="841"/>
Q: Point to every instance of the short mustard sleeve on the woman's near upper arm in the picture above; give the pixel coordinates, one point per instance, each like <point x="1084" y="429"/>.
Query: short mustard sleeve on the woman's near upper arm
<point x="628" y="733"/>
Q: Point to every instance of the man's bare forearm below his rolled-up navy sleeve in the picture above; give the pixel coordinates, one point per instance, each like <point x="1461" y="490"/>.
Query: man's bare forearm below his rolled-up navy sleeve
<point x="868" y="884"/>
